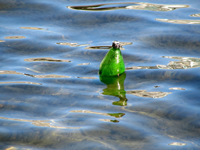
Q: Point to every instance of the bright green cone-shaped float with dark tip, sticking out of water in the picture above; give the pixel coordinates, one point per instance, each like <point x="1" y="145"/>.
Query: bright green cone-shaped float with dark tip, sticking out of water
<point x="113" y="63"/>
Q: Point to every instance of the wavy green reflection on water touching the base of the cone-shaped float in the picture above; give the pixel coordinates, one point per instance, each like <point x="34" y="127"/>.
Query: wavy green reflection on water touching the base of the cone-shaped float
<point x="115" y="87"/>
